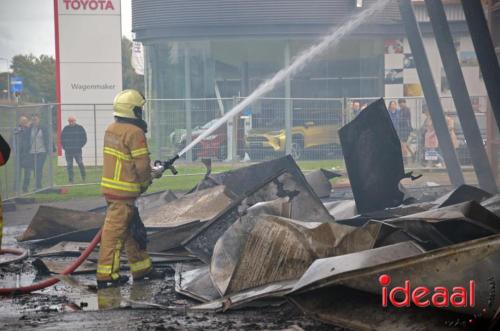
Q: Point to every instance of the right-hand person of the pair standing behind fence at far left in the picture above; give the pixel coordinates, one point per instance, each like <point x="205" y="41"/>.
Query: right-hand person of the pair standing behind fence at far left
<point x="39" y="147"/>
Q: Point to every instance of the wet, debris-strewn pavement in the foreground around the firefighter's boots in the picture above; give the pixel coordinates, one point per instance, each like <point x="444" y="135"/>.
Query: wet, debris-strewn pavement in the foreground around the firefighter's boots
<point x="153" y="305"/>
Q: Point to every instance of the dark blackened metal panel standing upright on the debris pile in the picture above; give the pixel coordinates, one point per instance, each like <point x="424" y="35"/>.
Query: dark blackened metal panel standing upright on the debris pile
<point x="373" y="158"/>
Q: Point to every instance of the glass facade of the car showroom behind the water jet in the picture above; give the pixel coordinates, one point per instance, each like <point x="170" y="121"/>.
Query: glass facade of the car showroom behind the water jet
<point x="220" y="70"/>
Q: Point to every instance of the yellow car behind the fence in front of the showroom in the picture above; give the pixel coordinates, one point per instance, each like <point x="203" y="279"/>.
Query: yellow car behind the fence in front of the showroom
<point x="323" y="139"/>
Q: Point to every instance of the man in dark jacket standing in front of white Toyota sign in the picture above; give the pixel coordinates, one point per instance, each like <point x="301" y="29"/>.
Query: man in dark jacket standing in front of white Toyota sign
<point x="73" y="138"/>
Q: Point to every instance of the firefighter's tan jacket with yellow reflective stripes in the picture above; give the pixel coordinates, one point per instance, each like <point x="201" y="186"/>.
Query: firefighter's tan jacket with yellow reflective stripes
<point x="126" y="166"/>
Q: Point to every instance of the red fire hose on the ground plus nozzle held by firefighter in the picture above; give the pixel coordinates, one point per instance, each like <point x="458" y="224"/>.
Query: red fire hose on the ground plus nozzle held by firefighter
<point x="160" y="167"/>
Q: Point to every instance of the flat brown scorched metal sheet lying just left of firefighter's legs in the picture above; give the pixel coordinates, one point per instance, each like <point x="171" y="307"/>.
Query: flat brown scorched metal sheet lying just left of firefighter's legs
<point x="51" y="221"/>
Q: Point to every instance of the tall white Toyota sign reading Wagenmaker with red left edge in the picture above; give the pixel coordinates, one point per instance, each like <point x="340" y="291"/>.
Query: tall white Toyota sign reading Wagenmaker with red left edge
<point x="89" y="70"/>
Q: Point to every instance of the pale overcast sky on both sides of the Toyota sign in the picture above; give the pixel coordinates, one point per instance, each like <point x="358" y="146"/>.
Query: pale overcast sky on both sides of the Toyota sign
<point x="27" y="26"/>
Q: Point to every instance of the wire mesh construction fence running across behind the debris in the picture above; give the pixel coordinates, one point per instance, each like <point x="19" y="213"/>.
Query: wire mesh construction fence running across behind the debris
<point x="269" y="128"/>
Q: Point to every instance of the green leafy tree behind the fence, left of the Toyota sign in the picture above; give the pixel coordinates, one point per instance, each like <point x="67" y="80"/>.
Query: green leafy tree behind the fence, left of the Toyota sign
<point x="38" y="74"/>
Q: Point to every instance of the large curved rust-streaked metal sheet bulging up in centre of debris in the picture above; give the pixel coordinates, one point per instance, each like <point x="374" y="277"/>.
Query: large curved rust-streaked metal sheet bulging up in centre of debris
<point x="265" y="249"/>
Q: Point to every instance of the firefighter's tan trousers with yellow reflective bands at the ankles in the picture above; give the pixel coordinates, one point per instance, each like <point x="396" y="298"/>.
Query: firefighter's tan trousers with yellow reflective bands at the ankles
<point x="115" y="235"/>
